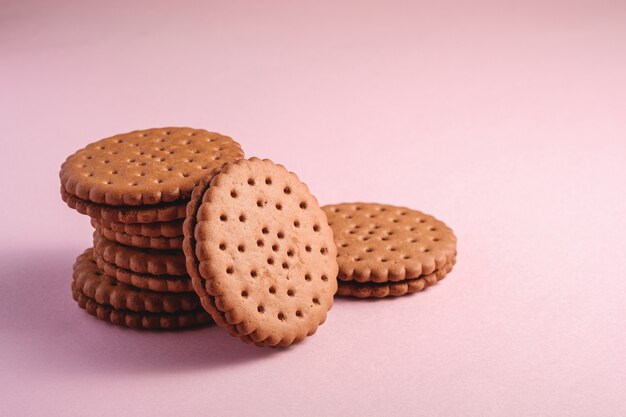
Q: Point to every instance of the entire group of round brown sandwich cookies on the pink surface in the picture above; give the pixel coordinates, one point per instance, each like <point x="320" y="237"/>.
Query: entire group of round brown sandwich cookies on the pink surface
<point x="189" y="232"/>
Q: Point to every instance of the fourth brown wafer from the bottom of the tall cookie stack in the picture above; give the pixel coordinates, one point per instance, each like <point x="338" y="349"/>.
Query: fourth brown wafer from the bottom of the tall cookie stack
<point x="143" y="261"/>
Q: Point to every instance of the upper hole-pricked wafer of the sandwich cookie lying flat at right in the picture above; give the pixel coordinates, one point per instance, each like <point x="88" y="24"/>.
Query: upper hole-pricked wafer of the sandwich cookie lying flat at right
<point x="381" y="243"/>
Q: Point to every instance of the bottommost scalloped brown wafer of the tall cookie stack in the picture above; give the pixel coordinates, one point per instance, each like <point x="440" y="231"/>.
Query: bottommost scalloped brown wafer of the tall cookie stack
<point x="141" y="320"/>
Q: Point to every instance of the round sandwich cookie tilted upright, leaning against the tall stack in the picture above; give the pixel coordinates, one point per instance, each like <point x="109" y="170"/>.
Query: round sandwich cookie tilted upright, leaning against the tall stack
<point x="262" y="254"/>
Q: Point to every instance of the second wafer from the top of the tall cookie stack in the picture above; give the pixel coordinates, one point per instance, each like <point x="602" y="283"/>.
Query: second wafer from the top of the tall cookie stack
<point x="125" y="214"/>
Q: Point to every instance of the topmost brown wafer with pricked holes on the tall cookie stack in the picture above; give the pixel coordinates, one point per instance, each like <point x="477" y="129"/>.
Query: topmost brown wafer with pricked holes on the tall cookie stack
<point x="146" y="167"/>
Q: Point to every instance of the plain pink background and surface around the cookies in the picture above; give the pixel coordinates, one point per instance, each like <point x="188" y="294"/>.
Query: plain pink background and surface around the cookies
<point x="506" y="121"/>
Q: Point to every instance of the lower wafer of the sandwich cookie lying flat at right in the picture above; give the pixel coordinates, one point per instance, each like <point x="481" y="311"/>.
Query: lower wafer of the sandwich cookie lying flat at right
<point x="393" y="288"/>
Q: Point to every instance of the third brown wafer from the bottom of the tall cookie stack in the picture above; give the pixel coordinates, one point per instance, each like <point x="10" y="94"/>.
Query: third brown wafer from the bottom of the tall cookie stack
<point x="160" y="283"/>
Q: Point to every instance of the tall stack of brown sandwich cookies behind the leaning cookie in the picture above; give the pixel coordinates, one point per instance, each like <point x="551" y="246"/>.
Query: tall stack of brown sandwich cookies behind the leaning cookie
<point x="135" y="187"/>
